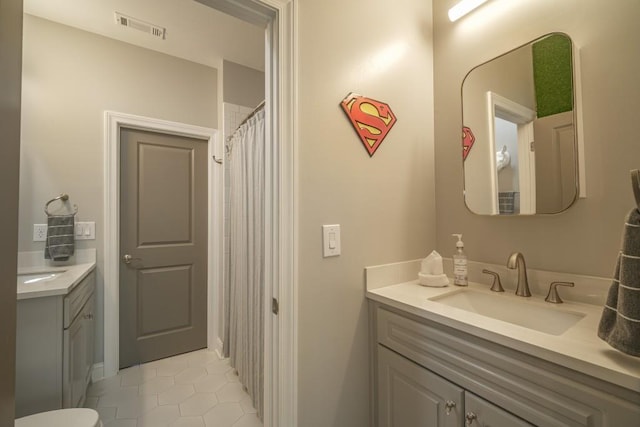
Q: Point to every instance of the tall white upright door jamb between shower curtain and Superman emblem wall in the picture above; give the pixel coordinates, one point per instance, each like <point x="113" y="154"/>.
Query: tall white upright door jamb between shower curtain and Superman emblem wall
<point x="281" y="261"/>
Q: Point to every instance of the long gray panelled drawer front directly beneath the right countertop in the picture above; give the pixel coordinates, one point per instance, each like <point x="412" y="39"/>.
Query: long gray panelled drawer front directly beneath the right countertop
<point x="535" y="390"/>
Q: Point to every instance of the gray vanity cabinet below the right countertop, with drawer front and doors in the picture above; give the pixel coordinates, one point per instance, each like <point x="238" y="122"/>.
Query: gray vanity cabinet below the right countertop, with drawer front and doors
<point x="424" y="373"/>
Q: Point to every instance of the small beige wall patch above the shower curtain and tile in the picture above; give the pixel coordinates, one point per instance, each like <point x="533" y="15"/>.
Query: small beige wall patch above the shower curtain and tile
<point x="242" y="85"/>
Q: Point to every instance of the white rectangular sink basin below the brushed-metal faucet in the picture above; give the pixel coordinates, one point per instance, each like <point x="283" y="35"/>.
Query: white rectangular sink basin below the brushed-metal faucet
<point x="515" y="310"/>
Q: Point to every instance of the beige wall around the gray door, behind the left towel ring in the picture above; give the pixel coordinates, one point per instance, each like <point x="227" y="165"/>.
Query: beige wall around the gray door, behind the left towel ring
<point x="70" y="77"/>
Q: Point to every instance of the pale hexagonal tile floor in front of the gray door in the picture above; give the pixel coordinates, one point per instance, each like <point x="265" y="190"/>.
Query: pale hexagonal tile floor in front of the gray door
<point x="189" y="390"/>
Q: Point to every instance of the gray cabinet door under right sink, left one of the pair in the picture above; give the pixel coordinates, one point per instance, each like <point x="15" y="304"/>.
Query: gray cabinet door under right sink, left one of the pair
<point x="411" y="396"/>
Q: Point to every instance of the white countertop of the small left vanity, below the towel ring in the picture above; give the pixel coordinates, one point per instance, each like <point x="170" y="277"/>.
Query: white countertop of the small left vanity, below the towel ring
<point x="71" y="275"/>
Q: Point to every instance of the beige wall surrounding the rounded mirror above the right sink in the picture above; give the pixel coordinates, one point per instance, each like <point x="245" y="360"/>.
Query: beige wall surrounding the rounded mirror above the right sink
<point x="585" y="239"/>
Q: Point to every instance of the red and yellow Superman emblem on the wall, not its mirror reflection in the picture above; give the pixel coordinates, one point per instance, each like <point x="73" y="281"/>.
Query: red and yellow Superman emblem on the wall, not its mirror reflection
<point x="371" y="119"/>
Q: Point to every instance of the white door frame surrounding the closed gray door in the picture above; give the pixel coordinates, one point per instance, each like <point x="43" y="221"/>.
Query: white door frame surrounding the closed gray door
<point x="113" y="123"/>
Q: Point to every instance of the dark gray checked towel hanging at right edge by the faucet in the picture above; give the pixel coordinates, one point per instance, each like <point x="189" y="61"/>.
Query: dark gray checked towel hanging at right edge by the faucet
<point x="620" y="321"/>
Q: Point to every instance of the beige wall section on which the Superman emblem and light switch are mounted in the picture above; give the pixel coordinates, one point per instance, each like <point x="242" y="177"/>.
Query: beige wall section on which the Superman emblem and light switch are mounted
<point x="384" y="204"/>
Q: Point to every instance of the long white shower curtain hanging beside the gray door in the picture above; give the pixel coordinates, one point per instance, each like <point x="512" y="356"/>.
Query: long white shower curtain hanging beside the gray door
<point x="246" y="256"/>
